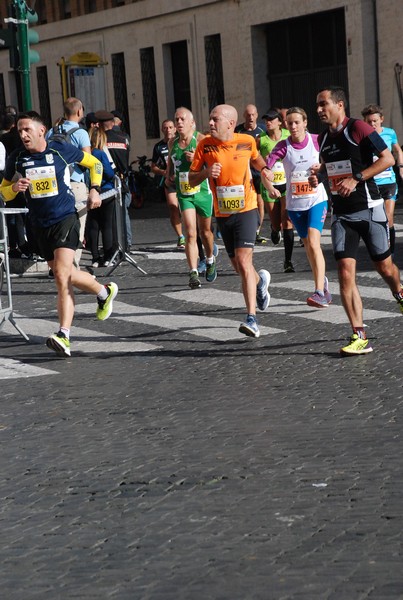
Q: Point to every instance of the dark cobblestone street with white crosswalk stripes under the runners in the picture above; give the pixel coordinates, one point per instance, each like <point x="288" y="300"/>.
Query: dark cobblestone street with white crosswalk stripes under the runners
<point x="172" y="458"/>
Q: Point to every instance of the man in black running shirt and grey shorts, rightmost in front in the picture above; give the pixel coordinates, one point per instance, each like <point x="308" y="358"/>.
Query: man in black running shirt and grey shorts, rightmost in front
<point x="347" y="150"/>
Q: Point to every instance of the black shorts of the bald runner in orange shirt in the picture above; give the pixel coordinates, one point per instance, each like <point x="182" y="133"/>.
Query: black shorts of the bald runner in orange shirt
<point x="239" y="230"/>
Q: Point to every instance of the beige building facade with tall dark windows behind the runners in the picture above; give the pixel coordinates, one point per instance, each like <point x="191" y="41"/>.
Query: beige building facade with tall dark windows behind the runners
<point x="145" y="57"/>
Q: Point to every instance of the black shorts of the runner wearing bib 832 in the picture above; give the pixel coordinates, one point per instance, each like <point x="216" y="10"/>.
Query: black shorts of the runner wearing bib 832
<point x="65" y="234"/>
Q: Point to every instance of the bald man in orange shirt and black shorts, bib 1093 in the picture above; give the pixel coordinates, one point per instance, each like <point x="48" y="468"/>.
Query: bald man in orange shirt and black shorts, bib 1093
<point x="224" y="157"/>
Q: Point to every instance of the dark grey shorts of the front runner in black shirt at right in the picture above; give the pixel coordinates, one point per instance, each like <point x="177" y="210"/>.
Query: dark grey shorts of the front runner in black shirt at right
<point x="371" y="225"/>
